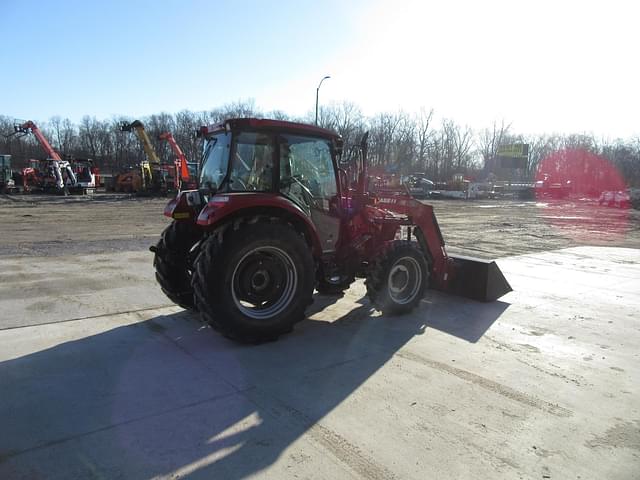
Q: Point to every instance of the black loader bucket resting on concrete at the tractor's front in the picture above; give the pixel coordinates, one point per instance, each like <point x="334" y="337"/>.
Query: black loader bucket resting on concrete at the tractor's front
<point x="477" y="279"/>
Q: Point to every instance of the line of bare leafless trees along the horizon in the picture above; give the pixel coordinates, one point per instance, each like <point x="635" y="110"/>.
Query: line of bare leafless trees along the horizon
<point x="399" y="142"/>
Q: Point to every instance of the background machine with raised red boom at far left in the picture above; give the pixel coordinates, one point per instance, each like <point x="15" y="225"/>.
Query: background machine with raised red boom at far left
<point x="50" y="175"/>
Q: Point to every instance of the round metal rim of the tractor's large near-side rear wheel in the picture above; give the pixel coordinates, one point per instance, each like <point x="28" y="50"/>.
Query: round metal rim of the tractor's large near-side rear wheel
<point x="264" y="282"/>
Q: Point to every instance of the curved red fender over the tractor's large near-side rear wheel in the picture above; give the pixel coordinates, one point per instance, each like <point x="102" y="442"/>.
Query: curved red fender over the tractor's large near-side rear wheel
<point x="222" y="208"/>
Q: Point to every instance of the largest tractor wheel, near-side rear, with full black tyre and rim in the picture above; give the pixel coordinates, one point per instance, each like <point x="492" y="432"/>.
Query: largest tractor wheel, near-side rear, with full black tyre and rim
<point x="255" y="283"/>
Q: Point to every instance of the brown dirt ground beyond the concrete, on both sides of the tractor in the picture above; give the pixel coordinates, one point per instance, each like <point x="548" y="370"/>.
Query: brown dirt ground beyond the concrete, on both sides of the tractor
<point x="48" y="225"/>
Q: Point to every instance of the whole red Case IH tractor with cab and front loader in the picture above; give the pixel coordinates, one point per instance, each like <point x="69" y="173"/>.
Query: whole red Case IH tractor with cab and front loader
<point x="284" y="208"/>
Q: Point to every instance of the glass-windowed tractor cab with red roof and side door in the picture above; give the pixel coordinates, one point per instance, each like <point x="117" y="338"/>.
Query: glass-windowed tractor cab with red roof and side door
<point x="289" y="164"/>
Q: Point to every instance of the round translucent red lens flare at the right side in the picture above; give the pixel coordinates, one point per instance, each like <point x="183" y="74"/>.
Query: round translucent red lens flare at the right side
<point x="569" y="184"/>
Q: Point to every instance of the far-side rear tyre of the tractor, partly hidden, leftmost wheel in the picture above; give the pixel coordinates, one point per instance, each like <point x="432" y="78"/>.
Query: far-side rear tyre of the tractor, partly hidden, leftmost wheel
<point x="172" y="263"/>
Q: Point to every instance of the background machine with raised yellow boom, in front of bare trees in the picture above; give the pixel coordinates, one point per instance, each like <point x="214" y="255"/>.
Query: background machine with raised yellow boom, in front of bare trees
<point x="150" y="178"/>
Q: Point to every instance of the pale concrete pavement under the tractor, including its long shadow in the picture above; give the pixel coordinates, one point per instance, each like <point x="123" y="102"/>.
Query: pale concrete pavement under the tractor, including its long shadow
<point x="542" y="384"/>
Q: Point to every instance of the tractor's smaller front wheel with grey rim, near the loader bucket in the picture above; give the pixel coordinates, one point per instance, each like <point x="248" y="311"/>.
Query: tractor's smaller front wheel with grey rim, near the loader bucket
<point x="397" y="281"/>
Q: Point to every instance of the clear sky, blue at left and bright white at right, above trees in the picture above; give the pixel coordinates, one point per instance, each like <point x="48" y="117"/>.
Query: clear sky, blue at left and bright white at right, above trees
<point x="558" y="66"/>
